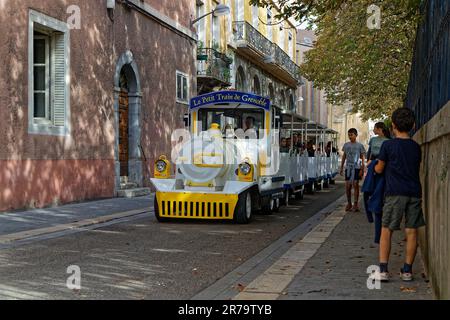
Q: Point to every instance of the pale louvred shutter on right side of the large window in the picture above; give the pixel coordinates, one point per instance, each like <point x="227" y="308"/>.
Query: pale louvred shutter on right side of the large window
<point x="59" y="81"/>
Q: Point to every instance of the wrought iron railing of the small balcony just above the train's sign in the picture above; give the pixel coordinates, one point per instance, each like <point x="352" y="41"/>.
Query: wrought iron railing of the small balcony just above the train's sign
<point x="212" y="63"/>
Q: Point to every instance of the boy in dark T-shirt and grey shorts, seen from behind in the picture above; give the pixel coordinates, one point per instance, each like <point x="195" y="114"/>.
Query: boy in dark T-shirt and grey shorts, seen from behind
<point x="400" y="160"/>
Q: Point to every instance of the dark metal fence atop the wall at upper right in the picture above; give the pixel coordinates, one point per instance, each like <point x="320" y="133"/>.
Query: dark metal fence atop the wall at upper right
<point x="429" y="86"/>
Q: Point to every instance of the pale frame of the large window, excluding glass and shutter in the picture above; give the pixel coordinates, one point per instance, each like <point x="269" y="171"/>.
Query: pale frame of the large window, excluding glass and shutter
<point x="45" y="24"/>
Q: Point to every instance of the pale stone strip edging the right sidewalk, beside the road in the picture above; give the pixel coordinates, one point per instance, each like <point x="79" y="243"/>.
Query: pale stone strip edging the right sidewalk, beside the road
<point x="272" y="283"/>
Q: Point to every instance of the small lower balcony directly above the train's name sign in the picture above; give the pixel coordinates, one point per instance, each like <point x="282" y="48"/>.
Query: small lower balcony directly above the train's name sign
<point x="213" y="70"/>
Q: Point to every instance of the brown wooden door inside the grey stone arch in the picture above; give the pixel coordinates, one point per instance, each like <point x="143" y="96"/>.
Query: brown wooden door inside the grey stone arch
<point x="123" y="133"/>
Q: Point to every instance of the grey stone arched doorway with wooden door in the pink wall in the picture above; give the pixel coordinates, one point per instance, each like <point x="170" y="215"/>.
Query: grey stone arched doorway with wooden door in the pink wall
<point x="127" y="107"/>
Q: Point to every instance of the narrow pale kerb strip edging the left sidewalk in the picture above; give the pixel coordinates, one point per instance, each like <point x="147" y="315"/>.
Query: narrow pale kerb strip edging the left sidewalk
<point x="5" y="239"/>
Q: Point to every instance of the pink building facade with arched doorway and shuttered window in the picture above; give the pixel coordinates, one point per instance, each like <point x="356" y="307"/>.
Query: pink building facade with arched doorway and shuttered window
<point x="89" y="95"/>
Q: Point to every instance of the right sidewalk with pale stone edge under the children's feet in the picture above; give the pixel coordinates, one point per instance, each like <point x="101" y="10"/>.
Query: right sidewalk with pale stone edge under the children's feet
<point x="331" y="262"/>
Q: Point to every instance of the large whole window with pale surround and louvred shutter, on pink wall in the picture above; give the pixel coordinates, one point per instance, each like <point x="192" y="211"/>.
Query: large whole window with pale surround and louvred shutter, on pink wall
<point x="49" y="76"/>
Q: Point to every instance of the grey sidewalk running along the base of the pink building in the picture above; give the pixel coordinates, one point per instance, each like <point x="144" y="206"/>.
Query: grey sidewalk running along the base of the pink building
<point x="85" y="213"/>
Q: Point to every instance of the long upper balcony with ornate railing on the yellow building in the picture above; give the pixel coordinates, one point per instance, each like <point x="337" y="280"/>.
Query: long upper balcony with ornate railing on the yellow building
<point x="269" y="56"/>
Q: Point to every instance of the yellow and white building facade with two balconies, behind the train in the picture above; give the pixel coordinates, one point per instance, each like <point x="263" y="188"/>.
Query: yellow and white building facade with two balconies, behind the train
<point x="260" y="50"/>
